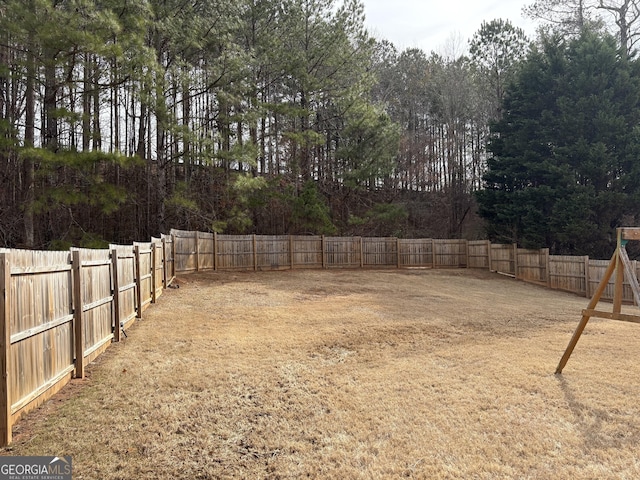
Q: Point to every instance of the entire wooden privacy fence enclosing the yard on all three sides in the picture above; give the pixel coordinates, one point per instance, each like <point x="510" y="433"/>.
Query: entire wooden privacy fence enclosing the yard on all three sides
<point x="60" y="310"/>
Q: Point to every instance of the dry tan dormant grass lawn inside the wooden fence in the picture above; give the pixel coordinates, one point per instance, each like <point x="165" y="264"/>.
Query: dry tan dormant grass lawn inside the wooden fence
<point x="352" y="374"/>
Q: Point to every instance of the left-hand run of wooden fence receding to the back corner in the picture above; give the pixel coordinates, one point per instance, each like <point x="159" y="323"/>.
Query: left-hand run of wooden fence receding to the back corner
<point x="60" y="310"/>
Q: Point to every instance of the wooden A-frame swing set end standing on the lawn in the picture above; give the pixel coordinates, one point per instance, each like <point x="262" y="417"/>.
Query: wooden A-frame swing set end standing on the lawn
<point x="619" y="264"/>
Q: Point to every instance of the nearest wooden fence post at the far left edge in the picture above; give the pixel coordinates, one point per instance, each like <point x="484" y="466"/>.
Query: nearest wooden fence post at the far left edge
<point x="5" y="349"/>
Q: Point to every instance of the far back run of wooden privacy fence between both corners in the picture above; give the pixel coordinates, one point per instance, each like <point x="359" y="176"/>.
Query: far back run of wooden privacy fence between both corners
<point x="197" y="251"/>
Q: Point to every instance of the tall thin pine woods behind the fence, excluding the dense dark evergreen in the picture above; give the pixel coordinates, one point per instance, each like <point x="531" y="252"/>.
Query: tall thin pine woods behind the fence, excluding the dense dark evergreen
<point x="120" y="119"/>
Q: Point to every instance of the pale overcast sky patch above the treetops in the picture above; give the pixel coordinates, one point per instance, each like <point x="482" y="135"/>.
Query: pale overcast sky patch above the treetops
<point x="431" y="24"/>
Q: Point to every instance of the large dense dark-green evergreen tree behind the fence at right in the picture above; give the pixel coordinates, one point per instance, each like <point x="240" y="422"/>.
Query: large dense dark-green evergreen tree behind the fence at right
<point x="564" y="168"/>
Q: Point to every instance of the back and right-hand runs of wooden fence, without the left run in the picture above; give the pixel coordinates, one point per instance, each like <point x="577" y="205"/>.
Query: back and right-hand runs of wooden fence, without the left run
<point x="197" y="251"/>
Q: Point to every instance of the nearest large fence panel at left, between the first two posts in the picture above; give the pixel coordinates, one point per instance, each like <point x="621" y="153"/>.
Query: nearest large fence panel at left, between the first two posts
<point x="37" y="316"/>
